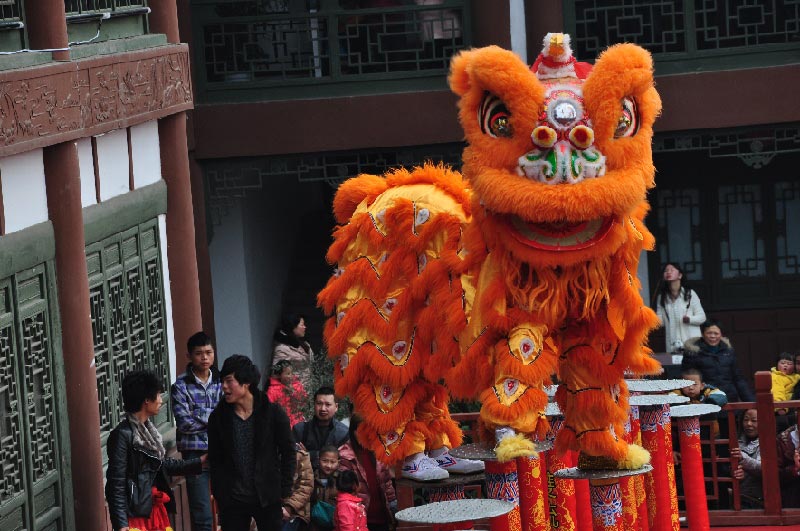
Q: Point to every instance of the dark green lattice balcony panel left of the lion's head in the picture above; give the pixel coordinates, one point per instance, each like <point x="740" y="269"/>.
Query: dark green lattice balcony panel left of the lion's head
<point x="295" y="48"/>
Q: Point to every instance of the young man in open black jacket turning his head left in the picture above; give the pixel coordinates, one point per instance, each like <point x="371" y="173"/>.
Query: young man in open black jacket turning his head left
<point x="250" y="451"/>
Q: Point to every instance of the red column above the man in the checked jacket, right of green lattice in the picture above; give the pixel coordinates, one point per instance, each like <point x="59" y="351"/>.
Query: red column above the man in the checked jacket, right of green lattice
<point x="184" y="283"/>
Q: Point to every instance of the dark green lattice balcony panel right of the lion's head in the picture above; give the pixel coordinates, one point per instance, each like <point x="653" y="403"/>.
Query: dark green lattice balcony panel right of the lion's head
<point x="689" y="35"/>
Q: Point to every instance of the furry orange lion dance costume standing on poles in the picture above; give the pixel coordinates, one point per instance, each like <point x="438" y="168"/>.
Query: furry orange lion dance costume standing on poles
<point x="488" y="283"/>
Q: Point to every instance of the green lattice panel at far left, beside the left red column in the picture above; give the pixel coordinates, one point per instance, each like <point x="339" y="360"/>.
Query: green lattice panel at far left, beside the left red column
<point x="35" y="490"/>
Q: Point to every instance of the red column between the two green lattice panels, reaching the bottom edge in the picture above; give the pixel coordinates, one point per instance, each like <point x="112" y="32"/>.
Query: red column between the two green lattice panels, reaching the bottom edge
<point x="62" y="179"/>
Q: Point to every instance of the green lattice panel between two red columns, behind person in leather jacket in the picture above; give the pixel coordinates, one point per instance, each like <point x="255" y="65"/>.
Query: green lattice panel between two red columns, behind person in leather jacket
<point x="128" y="314"/>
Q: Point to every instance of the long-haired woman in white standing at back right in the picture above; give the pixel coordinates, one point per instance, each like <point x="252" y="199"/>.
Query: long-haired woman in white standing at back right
<point x="678" y="307"/>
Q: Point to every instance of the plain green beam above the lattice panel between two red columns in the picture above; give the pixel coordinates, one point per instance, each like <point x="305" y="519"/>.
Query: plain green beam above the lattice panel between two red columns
<point x="125" y="211"/>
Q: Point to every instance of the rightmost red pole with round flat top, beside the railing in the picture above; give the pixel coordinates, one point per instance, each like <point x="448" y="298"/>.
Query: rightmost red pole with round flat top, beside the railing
<point x="694" y="486"/>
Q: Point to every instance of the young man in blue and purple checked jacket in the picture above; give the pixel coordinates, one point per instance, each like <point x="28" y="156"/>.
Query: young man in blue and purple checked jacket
<point x="195" y="394"/>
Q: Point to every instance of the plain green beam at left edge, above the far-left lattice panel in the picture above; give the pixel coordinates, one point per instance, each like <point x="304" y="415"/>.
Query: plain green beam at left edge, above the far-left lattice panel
<point x="26" y="248"/>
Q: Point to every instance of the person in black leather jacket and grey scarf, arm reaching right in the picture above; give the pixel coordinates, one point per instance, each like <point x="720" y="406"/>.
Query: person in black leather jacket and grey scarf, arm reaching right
<point x="137" y="489"/>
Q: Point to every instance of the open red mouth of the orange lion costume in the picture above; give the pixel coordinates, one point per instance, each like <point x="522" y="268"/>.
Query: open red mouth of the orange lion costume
<point x="559" y="236"/>
